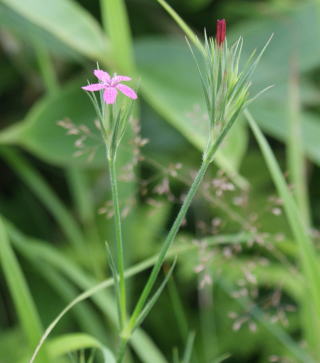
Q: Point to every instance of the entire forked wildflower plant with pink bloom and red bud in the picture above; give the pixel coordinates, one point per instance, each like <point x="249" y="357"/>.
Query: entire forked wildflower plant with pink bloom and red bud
<point x="226" y="89"/>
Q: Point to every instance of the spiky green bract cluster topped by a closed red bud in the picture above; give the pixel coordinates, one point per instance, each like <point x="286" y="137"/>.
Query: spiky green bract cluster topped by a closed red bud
<point x="225" y="84"/>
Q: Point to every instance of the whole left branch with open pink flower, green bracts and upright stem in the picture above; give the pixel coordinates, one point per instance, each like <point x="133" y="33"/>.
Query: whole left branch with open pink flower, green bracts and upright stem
<point x="113" y="118"/>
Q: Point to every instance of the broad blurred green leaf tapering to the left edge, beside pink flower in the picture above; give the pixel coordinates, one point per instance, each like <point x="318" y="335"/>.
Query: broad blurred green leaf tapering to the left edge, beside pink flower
<point x="40" y="134"/>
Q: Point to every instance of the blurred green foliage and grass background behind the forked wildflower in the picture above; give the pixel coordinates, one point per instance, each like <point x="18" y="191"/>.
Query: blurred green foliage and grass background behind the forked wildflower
<point x="237" y="286"/>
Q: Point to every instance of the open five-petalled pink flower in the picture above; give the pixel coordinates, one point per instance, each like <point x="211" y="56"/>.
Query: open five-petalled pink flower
<point x="111" y="86"/>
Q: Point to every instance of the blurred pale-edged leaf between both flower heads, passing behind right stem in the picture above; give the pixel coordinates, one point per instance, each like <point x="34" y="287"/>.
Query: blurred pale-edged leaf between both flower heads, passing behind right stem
<point x="175" y="92"/>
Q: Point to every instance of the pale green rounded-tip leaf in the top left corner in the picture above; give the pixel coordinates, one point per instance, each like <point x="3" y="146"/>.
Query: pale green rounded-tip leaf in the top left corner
<point x="67" y="21"/>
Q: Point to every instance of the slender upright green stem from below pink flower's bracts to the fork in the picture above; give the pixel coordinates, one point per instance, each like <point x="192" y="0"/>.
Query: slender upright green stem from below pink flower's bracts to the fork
<point x="119" y="240"/>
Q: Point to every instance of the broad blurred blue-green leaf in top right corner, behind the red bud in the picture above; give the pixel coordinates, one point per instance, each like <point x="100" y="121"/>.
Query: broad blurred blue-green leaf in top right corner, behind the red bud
<point x="289" y="40"/>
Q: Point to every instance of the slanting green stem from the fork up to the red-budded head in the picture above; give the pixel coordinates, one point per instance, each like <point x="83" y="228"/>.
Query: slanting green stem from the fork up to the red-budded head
<point x="165" y="247"/>
